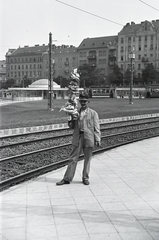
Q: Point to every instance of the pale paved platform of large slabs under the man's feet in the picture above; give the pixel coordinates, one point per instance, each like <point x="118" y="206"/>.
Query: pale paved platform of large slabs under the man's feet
<point x="121" y="203"/>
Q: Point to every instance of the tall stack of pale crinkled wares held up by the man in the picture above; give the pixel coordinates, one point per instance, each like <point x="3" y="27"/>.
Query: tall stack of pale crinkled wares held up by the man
<point x="71" y="105"/>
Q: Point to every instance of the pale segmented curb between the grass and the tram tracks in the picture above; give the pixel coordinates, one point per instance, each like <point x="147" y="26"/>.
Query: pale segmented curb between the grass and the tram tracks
<point x="16" y="131"/>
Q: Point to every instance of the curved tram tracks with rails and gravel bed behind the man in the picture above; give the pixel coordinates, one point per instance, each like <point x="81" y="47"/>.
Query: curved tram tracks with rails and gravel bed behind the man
<point x="50" y="150"/>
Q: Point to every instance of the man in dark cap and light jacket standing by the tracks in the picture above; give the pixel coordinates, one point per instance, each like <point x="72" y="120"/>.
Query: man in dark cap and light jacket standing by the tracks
<point x="86" y="134"/>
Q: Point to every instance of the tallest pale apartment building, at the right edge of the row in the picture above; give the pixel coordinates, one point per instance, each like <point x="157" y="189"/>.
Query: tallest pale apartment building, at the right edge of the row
<point x="143" y="40"/>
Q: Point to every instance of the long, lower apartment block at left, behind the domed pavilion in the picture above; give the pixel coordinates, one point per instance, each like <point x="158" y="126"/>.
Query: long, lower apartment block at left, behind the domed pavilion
<point x="33" y="62"/>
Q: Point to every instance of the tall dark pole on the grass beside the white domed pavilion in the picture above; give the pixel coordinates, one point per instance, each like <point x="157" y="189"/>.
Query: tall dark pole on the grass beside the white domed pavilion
<point x="50" y="82"/>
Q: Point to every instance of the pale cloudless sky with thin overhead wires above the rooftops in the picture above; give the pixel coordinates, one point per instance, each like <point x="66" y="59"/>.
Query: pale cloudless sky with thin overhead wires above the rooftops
<point x="29" y="22"/>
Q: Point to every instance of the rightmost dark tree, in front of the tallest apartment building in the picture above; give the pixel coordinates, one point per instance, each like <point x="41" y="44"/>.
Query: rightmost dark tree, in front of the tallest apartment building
<point x="149" y="73"/>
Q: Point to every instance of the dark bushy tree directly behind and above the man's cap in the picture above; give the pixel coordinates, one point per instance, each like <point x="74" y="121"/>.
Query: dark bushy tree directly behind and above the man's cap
<point x="89" y="75"/>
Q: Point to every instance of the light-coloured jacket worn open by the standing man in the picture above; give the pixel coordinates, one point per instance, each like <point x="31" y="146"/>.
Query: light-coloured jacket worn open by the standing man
<point x="92" y="132"/>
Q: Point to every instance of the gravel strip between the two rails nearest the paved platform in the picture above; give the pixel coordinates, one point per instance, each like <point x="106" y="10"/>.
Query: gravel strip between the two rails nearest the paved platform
<point x="28" y="163"/>
